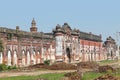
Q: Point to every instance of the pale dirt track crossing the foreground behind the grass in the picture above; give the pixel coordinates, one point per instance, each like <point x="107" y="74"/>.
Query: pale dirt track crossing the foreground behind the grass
<point x="38" y="72"/>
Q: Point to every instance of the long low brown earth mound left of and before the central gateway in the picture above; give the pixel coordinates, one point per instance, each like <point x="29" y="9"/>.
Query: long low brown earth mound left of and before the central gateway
<point x="55" y="66"/>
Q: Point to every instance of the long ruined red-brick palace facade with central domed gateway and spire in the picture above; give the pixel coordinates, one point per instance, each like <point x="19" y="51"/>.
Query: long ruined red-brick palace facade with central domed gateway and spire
<point x="24" y="48"/>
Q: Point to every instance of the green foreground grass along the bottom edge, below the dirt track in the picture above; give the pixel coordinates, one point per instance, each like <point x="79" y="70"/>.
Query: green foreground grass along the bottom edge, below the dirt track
<point x="58" y="76"/>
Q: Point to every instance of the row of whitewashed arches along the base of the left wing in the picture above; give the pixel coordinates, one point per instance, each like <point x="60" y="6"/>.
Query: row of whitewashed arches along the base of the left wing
<point x="25" y="59"/>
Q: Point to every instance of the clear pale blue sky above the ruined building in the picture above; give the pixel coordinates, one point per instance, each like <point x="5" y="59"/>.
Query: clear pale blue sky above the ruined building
<point x="96" y="16"/>
